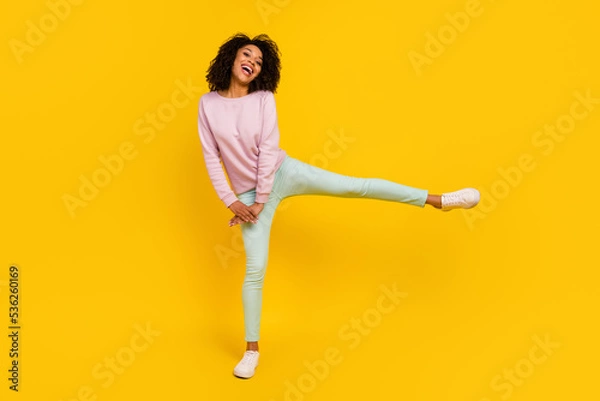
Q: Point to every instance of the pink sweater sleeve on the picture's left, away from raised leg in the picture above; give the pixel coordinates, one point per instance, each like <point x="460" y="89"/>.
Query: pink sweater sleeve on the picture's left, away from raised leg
<point x="212" y="159"/>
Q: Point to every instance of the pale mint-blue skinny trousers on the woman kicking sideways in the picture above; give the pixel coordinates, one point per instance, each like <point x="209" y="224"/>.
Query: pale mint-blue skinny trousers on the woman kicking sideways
<point x="298" y="178"/>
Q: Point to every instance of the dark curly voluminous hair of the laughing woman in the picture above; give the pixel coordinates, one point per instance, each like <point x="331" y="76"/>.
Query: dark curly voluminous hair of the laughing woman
<point x="219" y="71"/>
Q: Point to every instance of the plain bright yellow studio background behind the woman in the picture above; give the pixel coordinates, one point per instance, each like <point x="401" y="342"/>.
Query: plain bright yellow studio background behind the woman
<point x="153" y="246"/>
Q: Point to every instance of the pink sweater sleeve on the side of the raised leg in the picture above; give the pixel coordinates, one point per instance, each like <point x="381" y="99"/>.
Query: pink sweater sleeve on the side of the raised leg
<point x="268" y="149"/>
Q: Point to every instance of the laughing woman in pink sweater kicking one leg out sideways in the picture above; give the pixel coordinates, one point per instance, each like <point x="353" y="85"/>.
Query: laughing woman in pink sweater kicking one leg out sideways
<point x="237" y="124"/>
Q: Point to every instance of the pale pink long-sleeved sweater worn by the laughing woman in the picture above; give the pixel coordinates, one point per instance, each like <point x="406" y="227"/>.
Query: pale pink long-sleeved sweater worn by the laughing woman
<point x="242" y="133"/>
